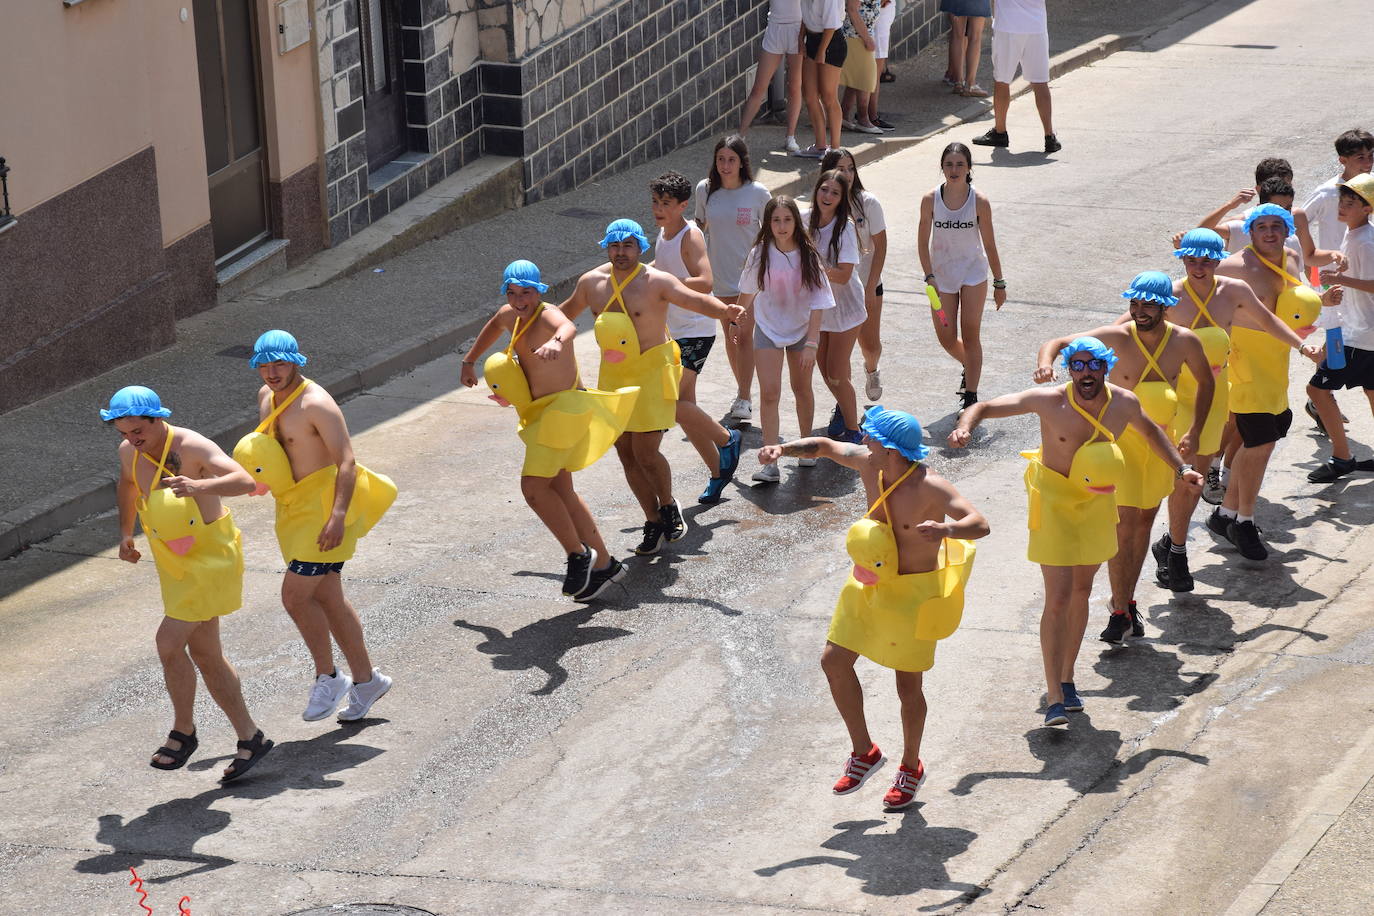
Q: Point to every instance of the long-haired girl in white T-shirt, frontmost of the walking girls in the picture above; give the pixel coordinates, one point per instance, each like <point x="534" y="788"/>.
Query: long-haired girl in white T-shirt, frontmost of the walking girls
<point x="785" y="292"/>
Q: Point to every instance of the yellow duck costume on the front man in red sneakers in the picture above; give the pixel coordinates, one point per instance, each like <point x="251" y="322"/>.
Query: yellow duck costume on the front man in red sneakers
<point x="894" y="619"/>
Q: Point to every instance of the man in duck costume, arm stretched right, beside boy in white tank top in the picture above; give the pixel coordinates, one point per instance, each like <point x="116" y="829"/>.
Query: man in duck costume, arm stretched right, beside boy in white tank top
<point x="642" y="355"/>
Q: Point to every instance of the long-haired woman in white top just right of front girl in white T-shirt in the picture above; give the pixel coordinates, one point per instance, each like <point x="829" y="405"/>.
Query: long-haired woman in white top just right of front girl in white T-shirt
<point x="837" y="242"/>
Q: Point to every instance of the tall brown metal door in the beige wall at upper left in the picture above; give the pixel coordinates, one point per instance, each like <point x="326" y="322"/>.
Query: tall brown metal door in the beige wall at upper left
<point x="226" y="51"/>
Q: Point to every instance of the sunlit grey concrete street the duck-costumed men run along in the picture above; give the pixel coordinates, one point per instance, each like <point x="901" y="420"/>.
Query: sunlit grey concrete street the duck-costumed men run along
<point x="674" y="748"/>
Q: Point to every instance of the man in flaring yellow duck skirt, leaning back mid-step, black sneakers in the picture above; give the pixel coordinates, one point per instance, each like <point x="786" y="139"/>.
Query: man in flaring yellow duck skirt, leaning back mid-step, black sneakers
<point x="565" y="428"/>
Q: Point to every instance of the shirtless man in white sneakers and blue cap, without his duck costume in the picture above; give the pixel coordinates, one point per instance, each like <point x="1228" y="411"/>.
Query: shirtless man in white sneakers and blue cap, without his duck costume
<point x="314" y="436"/>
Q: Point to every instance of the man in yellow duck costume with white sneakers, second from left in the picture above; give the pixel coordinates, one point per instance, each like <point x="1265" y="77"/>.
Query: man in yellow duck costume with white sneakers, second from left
<point x="329" y="502"/>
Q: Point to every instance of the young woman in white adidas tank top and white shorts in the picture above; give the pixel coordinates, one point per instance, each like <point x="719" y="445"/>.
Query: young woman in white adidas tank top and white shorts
<point x="957" y="248"/>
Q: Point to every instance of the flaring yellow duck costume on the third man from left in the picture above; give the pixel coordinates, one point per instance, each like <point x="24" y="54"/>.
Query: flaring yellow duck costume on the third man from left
<point x="565" y="431"/>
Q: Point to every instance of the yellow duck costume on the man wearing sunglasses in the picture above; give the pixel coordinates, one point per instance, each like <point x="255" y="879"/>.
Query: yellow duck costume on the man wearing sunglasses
<point x="1072" y="520"/>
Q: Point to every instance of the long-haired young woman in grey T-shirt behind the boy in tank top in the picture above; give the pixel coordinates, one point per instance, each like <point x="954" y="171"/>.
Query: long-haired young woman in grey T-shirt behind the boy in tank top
<point x="730" y="208"/>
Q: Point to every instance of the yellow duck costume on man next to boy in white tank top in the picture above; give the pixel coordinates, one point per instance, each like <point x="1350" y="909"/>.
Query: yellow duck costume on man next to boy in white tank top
<point x="656" y="371"/>
